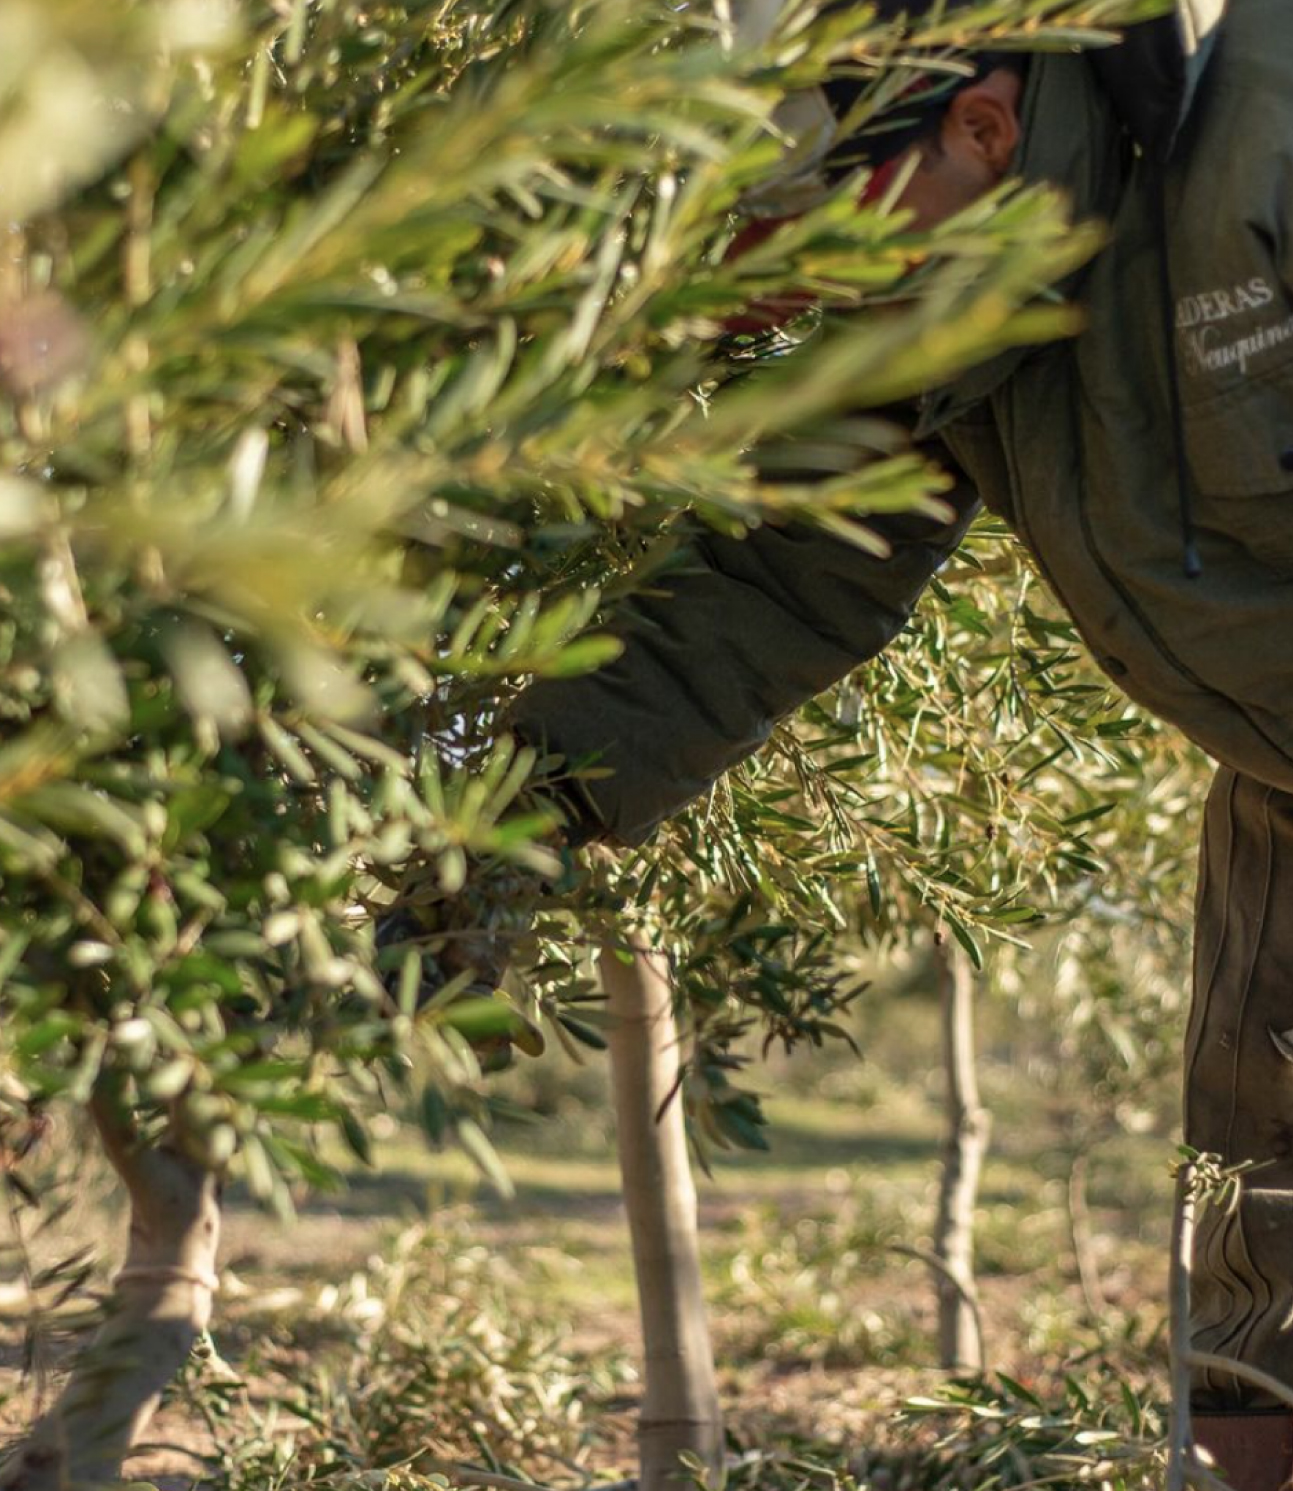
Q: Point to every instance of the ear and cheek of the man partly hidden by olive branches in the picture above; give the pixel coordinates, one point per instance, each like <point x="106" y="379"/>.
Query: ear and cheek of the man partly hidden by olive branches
<point x="973" y="154"/>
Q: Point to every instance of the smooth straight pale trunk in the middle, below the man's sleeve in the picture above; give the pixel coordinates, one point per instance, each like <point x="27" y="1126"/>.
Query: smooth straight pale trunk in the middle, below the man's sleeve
<point x="681" y="1405"/>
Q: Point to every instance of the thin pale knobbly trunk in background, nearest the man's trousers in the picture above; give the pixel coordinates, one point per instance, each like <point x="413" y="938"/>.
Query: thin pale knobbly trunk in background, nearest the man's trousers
<point x="964" y="1147"/>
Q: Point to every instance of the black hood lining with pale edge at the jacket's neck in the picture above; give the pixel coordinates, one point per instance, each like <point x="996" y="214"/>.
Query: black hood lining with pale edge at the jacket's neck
<point x="1152" y="75"/>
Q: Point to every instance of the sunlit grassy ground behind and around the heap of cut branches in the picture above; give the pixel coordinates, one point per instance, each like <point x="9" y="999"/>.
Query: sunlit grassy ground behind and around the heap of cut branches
<point x="821" y="1325"/>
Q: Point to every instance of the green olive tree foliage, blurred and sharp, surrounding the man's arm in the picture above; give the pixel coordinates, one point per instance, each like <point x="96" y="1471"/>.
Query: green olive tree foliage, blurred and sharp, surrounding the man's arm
<point x="351" y="359"/>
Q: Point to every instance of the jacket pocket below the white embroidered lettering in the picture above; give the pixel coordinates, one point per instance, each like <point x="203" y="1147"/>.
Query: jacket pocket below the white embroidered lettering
<point x="1242" y="456"/>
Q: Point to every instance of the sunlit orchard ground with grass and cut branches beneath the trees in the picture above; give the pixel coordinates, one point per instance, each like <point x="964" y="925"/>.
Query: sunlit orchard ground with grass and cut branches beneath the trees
<point x="420" y="1310"/>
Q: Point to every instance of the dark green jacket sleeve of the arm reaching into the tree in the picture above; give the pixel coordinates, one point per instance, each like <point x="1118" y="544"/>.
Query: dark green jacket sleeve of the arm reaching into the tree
<point x="737" y="636"/>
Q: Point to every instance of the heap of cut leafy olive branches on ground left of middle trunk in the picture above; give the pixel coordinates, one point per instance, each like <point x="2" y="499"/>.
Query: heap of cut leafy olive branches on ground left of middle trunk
<point x="436" y="1353"/>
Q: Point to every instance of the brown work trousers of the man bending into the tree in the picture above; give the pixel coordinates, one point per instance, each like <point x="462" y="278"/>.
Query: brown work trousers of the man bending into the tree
<point x="1240" y="1083"/>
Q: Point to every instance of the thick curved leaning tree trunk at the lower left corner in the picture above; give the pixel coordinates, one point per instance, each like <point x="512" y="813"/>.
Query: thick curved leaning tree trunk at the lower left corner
<point x="160" y="1305"/>
